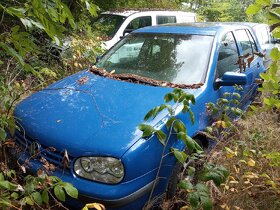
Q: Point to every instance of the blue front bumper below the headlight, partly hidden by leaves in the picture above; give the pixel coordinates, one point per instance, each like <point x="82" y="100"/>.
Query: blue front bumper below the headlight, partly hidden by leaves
<point x="131" y="193"/>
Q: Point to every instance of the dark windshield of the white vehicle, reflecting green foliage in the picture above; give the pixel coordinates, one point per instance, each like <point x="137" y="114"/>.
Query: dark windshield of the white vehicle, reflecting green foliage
<point x="108" y="24"/>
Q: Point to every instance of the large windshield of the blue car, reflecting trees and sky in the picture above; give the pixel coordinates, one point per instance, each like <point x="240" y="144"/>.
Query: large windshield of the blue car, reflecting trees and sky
<point x="180" y="59"/>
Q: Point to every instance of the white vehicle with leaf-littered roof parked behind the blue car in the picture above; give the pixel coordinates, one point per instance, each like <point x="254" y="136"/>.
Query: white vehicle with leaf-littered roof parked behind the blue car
<point x="117" y="24"/>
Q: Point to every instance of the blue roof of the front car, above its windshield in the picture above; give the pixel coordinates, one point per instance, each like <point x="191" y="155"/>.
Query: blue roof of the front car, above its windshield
<point x="201" y="28"/>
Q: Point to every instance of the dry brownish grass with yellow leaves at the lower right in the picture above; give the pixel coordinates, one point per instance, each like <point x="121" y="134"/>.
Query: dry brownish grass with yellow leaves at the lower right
<point x="252" y="156"/>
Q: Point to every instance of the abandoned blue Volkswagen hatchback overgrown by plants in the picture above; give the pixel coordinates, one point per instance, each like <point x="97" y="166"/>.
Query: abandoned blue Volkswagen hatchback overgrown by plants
<point x="91" y="118"/>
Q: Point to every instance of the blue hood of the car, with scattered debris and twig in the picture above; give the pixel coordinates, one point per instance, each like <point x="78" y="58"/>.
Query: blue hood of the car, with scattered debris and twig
<point x="88" y="114"/>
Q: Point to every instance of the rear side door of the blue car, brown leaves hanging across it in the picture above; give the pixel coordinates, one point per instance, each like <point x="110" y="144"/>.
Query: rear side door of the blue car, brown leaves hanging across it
<point x="251" y="63"/>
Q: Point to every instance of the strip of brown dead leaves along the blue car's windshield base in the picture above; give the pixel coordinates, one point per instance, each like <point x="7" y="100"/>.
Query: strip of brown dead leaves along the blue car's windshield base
<point x="139" y="79"/>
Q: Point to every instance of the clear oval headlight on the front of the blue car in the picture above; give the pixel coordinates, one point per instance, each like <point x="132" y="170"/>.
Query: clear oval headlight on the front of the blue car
<point x="102" y="169"/>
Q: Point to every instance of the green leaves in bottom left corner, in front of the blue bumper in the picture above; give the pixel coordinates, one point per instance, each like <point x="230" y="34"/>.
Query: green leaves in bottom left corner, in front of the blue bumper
<point x="34" y="191"/>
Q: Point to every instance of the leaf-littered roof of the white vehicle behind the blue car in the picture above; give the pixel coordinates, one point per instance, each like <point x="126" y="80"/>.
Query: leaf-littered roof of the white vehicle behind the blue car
<point x="127" y="13"/>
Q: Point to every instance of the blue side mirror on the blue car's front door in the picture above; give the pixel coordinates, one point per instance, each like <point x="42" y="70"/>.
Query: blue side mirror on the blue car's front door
<point x="231" y="79"/>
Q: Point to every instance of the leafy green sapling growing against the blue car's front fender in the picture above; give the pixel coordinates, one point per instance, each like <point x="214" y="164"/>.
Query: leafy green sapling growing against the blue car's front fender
<point x="198" y="195"/>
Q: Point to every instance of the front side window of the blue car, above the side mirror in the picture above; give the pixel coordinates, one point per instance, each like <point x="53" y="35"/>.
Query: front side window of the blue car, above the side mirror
<point x="228" y="55"/>
